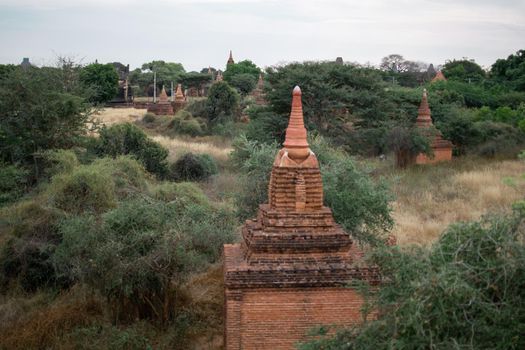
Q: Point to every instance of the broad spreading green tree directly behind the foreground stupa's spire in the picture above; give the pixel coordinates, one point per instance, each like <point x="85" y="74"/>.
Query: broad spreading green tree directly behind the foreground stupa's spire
<point x="336" y="98"/>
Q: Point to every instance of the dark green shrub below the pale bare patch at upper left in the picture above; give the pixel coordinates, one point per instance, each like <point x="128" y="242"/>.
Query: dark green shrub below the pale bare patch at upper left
<point x="122" y="139"/>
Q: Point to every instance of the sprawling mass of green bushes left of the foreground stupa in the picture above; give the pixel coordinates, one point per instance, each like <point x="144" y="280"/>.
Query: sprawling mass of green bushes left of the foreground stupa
<point x="107" y="224"/>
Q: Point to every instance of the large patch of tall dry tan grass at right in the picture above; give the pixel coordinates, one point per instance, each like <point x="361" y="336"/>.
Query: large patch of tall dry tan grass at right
<point x="429" y="198"/>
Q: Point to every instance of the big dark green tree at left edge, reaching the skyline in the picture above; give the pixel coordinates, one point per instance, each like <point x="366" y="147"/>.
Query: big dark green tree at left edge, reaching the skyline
<point x="40" y="109"/>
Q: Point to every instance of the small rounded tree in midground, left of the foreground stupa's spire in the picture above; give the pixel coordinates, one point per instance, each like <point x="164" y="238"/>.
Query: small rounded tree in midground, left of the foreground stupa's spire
<point x="222" y="102"/>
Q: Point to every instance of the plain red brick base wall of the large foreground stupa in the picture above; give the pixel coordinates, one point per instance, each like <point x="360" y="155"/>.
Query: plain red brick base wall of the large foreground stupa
<point x="278" y="319"/>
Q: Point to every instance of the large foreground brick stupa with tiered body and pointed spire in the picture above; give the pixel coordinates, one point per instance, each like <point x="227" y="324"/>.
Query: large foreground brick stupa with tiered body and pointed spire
<point x="295" y="266"/>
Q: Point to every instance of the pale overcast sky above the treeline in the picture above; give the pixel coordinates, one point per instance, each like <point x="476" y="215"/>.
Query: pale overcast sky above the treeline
<point x="200" y="33"/>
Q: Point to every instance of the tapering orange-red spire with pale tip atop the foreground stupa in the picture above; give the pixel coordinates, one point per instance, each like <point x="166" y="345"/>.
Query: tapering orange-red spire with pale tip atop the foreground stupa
<point x="295" y="141"/>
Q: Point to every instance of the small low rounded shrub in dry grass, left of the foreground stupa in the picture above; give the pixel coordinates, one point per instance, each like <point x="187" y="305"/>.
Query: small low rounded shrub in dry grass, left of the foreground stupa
<point x="193" y="167"/>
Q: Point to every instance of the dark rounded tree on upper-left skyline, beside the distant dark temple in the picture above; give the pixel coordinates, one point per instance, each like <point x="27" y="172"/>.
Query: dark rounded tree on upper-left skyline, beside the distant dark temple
<point x="101" y="79"/>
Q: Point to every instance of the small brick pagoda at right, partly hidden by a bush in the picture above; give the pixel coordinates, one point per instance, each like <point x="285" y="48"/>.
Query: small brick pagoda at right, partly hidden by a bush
<point x="441" y="148"/>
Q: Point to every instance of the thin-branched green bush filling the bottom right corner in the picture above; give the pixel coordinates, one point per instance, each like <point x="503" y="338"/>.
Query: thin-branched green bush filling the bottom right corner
<point x="465" y="292"/>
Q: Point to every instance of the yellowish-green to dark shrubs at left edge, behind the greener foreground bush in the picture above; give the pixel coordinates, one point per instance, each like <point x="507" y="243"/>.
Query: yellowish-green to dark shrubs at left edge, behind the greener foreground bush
<point x="33" y="224"/>
